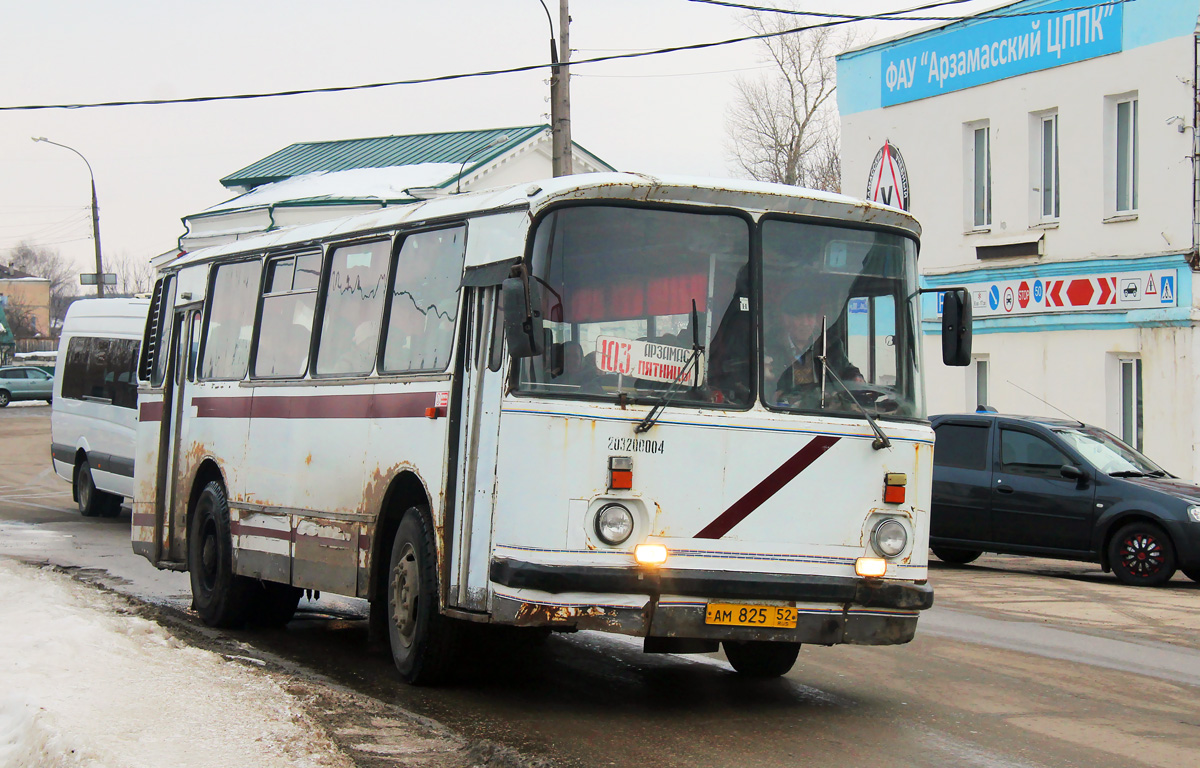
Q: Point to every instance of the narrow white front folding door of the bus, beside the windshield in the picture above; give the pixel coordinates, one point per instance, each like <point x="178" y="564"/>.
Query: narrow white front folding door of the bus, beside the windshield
<point x="478" y="442"/>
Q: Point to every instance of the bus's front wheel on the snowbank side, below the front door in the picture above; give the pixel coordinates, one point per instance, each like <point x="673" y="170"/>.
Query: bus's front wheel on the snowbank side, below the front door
<point x="424" y="643"/>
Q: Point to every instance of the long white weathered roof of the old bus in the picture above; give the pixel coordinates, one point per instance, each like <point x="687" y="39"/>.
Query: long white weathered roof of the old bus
<point x="535" y="196"/>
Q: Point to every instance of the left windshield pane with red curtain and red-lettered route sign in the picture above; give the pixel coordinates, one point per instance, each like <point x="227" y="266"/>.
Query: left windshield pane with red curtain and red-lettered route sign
<point x="638" y="302"/>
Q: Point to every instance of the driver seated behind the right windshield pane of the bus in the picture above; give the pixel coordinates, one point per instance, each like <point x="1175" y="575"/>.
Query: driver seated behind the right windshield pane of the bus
<point x="799" y="382"/>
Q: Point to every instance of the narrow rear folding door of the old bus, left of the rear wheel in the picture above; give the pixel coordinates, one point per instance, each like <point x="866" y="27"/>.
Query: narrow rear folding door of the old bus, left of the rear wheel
<point x="171" y="507"/>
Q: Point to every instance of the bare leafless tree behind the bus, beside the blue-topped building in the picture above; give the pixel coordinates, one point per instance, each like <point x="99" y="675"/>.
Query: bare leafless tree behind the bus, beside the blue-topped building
<point x="784" y="127"/>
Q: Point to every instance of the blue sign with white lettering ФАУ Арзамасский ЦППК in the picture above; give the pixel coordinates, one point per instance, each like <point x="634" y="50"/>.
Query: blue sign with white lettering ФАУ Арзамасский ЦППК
<point x="1015" y="41"/>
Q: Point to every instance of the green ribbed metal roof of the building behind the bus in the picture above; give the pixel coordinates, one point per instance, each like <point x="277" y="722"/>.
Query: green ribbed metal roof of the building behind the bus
<point x="381" y="153"/>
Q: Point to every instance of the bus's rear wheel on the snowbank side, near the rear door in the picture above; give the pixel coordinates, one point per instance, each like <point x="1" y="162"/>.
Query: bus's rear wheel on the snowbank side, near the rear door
<point x="219" y="597"/>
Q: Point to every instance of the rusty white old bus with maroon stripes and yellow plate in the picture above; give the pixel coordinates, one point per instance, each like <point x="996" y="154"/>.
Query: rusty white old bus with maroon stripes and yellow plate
<point x="568" y="405"/>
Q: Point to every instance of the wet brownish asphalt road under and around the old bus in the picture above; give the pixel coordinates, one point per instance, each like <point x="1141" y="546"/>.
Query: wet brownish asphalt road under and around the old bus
<point x="1023" y="663"/>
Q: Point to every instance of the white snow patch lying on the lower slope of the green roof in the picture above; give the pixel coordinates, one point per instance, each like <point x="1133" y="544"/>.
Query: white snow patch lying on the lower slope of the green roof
<point x="361" y="184"/>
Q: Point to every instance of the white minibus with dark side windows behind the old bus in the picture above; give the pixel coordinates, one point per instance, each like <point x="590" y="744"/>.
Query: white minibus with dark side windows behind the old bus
<point x="94" y="415"/>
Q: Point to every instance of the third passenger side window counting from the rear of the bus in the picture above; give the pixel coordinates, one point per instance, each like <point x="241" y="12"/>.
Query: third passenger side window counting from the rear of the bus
<point x="350" y="328"/>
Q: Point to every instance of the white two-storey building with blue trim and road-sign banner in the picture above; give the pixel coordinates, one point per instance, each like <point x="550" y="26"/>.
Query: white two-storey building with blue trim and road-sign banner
<point x="1049" y="153"/>
